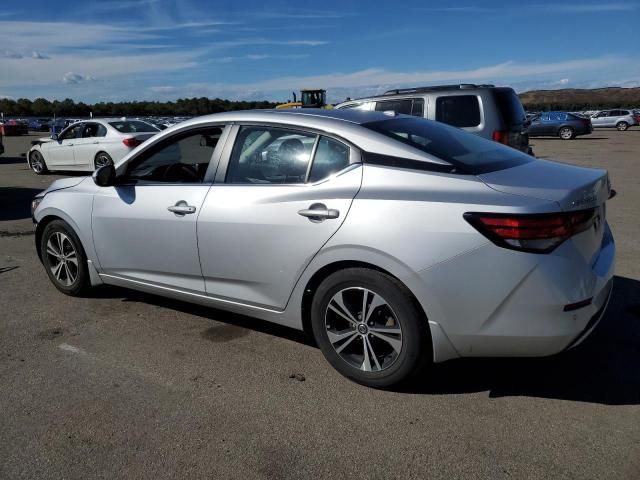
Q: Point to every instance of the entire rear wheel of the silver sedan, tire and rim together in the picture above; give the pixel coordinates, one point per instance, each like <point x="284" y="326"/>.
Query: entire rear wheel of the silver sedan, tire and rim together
<point x="369" y="327"/>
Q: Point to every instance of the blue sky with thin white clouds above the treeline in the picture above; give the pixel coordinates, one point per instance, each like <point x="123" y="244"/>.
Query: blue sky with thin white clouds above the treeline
<point x="167" y="49"/>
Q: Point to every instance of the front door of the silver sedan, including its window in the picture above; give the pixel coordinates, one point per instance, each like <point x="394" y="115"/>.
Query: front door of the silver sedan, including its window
<point x="144" y="228"/>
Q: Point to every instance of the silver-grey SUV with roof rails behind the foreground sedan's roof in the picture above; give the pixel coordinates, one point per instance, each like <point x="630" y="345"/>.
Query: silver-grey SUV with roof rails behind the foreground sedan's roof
<point x="495" y="113"/>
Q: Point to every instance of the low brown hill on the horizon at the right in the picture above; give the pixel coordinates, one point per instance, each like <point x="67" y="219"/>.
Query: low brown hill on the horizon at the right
<point x="581" y="99"/>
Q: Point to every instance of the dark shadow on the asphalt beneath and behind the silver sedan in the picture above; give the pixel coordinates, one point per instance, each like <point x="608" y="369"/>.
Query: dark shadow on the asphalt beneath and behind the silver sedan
<point x="603" y="369"/>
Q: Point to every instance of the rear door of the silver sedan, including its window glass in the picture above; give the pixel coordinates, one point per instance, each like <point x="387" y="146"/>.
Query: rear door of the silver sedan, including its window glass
<point x="280" y="196"/>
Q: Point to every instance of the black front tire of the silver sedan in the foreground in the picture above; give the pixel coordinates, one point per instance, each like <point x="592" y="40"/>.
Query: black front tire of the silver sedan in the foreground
<point x="80" y="281"/>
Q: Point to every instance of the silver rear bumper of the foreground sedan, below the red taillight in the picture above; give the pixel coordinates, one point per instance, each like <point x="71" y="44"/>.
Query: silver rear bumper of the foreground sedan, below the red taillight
<point x="496" y="302"/>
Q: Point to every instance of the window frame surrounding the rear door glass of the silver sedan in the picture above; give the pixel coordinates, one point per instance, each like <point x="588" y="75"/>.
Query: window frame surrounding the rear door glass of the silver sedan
<point x="355" y="154"/>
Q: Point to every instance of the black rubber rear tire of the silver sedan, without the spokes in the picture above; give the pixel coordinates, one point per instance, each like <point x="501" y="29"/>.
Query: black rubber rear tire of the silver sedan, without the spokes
<point x="416" y="348"/>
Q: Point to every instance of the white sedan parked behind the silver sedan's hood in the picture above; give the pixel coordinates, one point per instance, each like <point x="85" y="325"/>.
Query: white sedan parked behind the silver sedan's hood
<point x="88" y="145"/>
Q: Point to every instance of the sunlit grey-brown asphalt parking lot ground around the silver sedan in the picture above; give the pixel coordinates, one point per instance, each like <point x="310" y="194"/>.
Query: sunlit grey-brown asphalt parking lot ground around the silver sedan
<point x="129" y="385"/>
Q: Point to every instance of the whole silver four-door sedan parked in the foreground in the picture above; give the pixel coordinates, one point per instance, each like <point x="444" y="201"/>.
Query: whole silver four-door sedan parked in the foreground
<point x="395" y="241"/>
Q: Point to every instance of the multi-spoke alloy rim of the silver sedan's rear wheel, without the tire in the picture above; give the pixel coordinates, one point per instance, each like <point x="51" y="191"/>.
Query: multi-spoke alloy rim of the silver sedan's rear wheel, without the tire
<point x="363" y="329"/>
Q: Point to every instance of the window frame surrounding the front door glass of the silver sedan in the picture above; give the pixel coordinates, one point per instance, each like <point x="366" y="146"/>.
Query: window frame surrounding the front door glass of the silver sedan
<point x="151" y="149"/>
